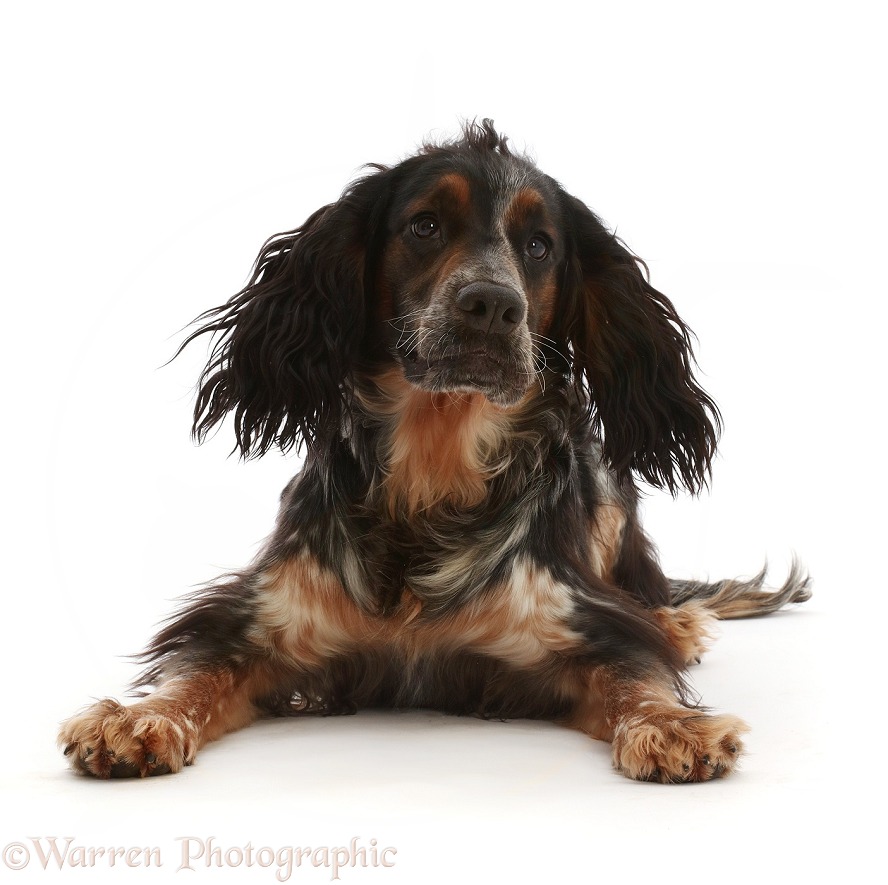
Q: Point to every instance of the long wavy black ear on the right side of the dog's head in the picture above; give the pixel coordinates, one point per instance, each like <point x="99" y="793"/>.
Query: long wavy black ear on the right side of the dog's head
<point x="633" y="362"/>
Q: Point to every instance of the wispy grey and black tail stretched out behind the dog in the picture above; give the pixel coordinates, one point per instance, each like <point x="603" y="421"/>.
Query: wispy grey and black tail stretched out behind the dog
<point x="744" y="599"/>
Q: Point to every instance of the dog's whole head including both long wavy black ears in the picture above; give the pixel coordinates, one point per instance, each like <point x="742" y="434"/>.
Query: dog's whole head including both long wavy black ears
<point x="472" y="271"/>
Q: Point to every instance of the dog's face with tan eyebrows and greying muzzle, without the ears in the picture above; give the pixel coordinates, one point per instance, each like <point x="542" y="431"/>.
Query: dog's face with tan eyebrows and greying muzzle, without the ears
<point x="469" y="276"/>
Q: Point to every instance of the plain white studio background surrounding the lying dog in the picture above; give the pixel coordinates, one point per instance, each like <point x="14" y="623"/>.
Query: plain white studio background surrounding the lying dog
<point x="147" y="153"/>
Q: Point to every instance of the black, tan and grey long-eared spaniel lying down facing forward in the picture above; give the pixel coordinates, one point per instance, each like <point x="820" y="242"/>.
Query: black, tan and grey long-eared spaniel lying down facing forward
<point x="480" y="374"/>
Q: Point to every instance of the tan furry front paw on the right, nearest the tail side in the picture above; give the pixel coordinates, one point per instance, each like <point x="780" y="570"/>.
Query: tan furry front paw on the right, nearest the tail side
<point x="674" y="745"/>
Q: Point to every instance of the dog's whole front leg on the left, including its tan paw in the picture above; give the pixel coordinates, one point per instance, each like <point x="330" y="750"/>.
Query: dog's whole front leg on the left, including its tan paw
<point x="233" y="652"/>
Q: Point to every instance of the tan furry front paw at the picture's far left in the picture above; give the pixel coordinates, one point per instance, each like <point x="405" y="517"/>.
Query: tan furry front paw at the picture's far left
<point x="110" y="740"/>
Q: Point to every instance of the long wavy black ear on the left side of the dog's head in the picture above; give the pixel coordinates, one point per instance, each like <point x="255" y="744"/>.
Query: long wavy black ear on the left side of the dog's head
<point x="286" y="344"/>
